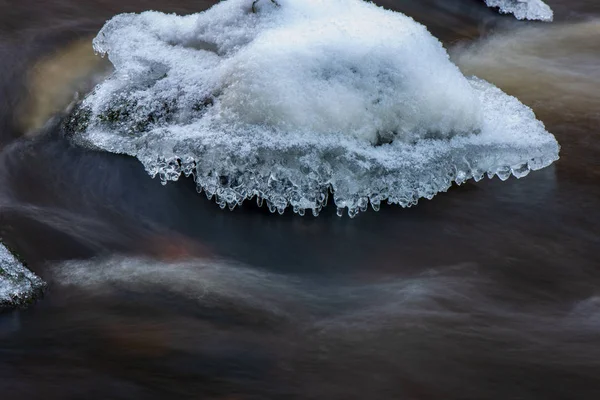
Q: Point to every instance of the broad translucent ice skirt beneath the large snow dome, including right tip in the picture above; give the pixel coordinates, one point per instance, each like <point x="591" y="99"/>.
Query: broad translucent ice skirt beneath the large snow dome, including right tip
<point x="402" y="182"/>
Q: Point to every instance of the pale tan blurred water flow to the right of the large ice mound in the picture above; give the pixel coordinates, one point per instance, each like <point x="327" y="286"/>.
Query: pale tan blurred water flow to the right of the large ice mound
<point x="553" y="67"/>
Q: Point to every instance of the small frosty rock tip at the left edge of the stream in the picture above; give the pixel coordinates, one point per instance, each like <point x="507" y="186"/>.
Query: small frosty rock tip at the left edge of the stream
<point x="18" y="285"/>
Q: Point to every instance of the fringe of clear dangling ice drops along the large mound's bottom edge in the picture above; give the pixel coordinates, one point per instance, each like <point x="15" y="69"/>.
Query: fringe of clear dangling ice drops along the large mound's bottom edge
<point x="459" y="170"/>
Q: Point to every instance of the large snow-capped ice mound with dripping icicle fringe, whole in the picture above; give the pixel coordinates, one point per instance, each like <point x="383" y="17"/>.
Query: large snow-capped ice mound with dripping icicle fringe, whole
<point x="291" y="101"/>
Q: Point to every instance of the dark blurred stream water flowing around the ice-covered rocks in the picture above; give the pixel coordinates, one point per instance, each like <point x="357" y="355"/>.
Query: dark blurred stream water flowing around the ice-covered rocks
<point x="489" y="291"/>
